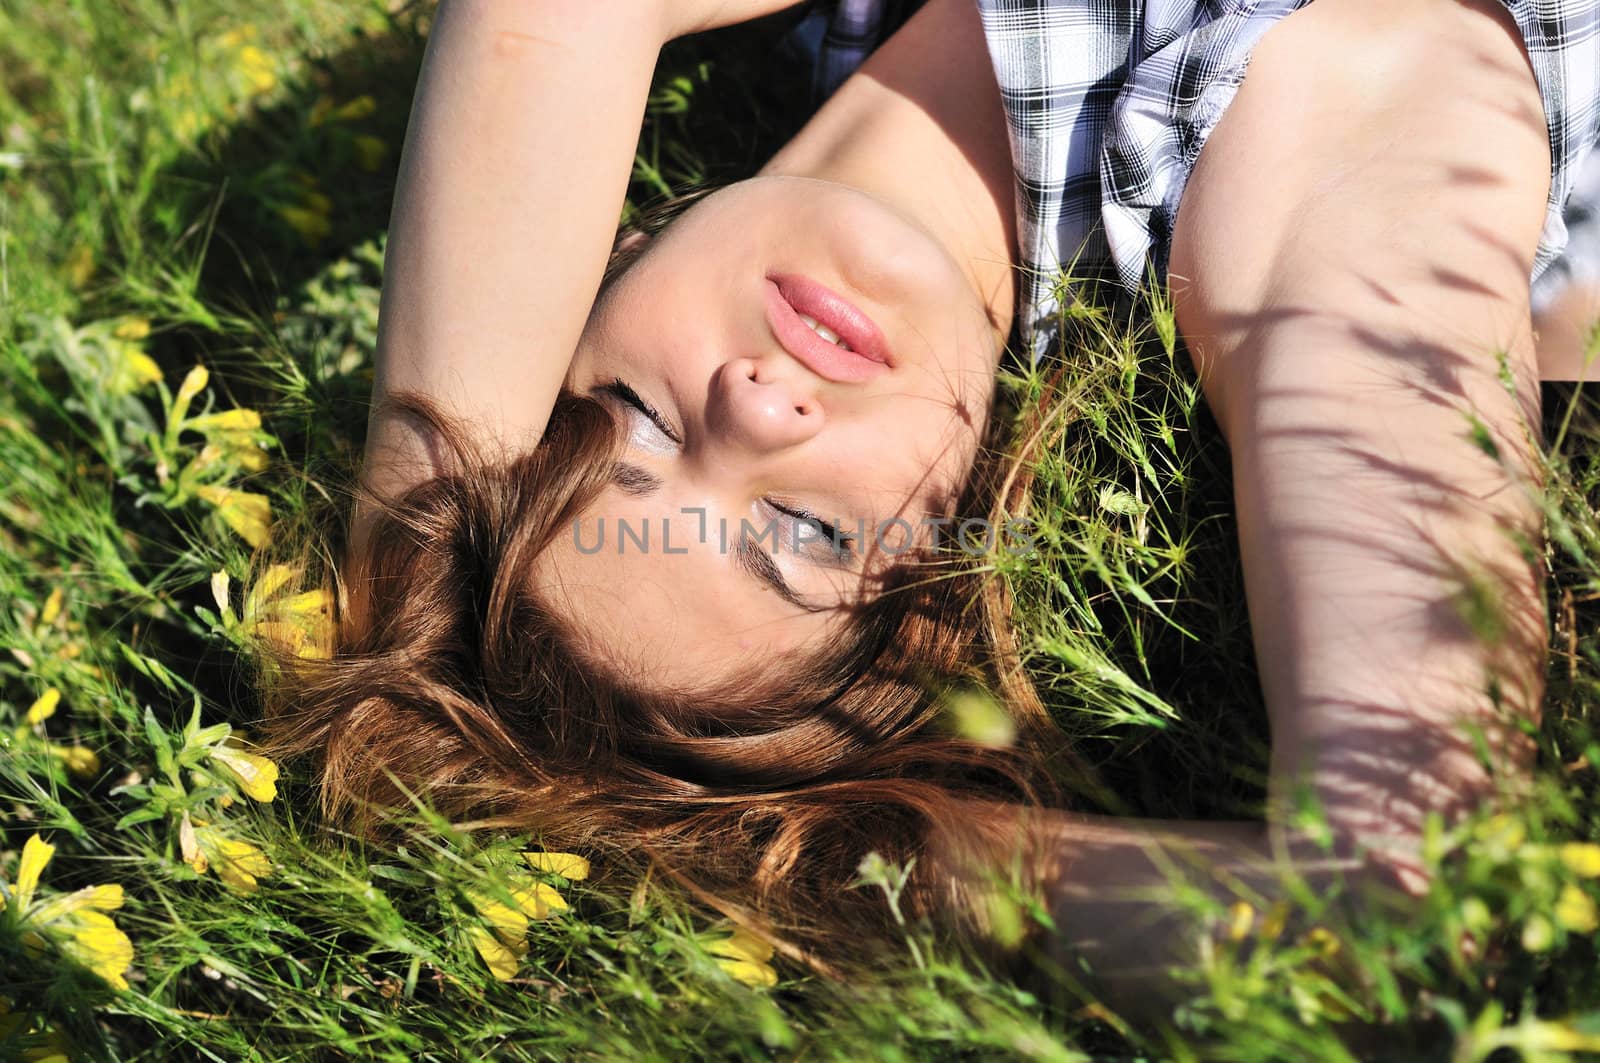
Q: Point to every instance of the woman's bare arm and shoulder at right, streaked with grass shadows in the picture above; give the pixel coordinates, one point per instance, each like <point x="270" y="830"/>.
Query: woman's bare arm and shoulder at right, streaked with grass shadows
<point x="1351" y="267"/>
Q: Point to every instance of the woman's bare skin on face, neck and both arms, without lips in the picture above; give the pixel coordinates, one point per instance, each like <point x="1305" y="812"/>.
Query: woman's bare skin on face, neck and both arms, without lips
<point x="1316" y="270"/>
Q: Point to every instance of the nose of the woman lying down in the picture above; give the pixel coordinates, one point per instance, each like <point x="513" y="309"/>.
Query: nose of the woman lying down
<point x="762" y="404"/>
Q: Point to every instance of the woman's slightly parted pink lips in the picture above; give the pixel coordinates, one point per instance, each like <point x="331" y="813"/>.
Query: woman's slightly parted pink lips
<point x="790" y="297"/>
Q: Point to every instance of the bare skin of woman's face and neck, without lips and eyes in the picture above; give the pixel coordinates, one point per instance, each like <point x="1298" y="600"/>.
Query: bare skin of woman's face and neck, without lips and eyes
<point x="687" y="329"/>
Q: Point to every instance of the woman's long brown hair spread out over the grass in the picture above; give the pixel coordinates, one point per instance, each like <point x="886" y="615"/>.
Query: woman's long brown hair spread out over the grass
<point x="452" y="680"/>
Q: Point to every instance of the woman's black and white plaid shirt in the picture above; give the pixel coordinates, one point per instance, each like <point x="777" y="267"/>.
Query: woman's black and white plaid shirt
<point x="1111" y="102"/>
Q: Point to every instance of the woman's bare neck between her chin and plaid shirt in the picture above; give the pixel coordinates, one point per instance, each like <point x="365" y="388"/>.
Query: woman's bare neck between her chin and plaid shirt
<point x="922" y="129"/>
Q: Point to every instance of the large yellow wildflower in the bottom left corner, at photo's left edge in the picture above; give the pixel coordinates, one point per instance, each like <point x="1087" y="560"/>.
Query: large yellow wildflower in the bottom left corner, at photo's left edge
<point x="74" y="923"/>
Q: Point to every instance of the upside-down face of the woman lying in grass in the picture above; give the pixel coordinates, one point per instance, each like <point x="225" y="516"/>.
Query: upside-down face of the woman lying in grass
<point x="754" y="433"/>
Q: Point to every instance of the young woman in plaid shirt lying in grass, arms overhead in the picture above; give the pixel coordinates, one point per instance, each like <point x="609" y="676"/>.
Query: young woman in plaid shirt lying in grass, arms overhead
<point x="788" y="388"/>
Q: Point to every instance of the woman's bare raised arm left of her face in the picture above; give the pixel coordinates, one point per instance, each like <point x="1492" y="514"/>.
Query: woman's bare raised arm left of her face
<point x="513" y="179"/>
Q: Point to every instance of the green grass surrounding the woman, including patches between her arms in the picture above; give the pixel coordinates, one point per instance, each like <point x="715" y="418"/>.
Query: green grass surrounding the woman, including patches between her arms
<point x="222" y="172"/>
